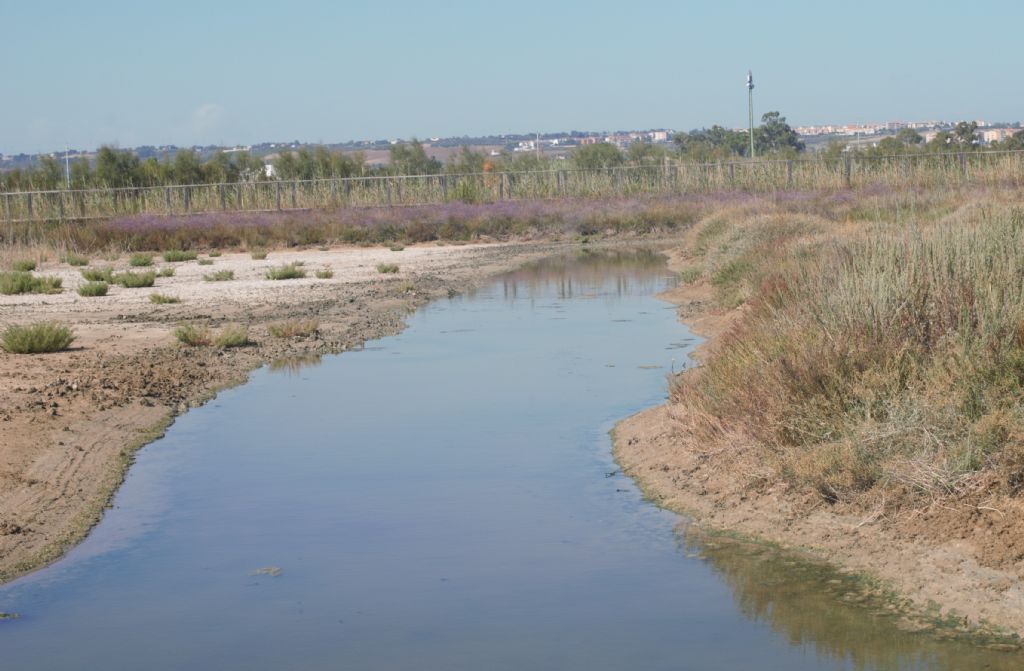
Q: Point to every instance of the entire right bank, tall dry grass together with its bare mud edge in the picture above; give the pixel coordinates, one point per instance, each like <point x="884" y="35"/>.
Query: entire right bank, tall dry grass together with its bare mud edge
<point x="860" y="395"/>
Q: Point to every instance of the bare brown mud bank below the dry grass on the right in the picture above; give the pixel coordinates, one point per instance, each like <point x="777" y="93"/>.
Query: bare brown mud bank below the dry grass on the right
<point x="948" y="562"/>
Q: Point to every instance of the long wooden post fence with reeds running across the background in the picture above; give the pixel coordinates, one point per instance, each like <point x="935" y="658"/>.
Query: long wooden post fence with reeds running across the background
<point x="672" y="177"/>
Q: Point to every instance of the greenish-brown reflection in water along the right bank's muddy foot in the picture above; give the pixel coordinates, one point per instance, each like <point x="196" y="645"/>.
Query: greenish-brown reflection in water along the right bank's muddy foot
<point x="839" y="615"/>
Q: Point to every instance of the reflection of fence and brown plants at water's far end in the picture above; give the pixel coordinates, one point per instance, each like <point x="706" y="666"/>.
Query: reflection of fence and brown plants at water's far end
<point x="590" y="274"/>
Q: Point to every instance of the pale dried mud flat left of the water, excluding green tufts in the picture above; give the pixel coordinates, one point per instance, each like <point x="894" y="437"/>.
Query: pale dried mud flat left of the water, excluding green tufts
<point x="70" y="423"/>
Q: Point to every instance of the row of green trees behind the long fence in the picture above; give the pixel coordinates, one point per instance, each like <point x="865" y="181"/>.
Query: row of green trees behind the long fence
<point x="774" y="139"/>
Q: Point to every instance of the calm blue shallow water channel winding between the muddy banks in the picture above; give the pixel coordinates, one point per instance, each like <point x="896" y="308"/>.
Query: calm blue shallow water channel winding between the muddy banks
<point x="443" y="499"/>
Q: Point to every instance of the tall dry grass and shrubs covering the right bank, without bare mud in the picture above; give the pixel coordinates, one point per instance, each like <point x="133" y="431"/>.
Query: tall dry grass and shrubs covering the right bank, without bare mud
<point x="886" y="356"/>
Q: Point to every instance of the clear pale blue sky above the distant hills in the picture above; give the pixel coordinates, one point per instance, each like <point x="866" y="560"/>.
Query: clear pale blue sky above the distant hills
<point x="217" y="72"/>
